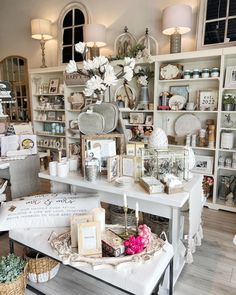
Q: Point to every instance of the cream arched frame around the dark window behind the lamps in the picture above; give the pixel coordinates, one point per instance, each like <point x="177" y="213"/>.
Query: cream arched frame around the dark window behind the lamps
<point x="65" y="10"/>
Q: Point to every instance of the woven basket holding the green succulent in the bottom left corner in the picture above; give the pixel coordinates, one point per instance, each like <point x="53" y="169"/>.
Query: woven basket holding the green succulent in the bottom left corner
<point x="16" y="287"/>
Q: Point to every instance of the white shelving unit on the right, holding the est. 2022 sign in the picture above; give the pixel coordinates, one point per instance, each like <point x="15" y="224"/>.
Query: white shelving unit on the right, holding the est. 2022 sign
<point x="165" y="119"/>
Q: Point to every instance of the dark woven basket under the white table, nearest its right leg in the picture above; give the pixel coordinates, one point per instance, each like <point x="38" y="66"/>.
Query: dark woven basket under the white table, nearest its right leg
<point x="156" y="223"/>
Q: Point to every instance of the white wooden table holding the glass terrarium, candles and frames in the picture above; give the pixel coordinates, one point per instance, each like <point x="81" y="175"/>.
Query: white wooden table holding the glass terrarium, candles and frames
<point x="163" y="205"/>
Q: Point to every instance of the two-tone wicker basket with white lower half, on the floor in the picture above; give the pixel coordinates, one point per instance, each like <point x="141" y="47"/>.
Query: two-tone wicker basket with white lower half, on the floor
<point x="40" y="269"/>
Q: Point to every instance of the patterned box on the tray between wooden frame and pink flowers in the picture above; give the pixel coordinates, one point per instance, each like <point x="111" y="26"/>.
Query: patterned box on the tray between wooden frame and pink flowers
<point x="112" y="244"/>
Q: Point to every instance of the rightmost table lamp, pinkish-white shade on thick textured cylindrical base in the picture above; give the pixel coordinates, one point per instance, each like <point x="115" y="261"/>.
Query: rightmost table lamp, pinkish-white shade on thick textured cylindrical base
<point x="176" y="21"/>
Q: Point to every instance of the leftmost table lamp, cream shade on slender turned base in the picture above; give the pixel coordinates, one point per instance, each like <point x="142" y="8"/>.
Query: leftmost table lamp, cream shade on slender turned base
<point x="41" y="30"/>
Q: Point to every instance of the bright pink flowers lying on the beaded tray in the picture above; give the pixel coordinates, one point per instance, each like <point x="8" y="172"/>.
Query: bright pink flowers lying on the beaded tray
<point x="136" y="244"/>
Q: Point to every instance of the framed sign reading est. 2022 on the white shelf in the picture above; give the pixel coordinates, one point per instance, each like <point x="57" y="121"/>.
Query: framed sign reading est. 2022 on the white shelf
<point x="208" y="99"/>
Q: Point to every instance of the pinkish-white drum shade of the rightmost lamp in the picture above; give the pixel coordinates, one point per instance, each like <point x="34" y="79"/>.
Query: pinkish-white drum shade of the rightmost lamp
<point x="177" y="17"/>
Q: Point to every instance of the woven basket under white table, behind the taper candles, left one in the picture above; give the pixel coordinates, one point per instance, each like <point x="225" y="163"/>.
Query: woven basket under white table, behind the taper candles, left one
<point x="117" y="216"/>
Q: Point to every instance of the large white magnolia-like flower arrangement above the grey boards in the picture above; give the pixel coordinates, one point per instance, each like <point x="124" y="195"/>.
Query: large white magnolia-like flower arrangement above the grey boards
<point x="100" y="72"/>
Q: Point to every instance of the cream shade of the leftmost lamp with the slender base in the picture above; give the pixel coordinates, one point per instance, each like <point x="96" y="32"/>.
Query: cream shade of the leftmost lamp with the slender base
<point x="41" y="29"/>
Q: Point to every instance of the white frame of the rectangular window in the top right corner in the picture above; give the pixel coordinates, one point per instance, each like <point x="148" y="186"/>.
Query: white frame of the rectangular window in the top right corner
<point x="201" y="23"/>
